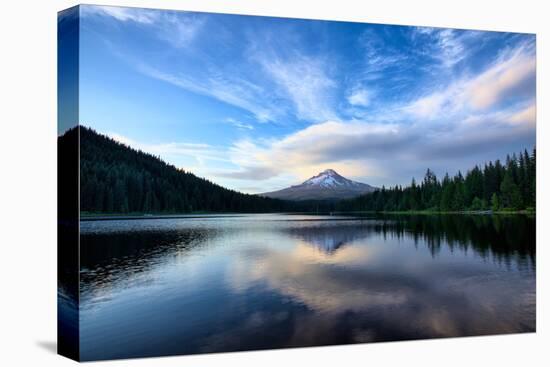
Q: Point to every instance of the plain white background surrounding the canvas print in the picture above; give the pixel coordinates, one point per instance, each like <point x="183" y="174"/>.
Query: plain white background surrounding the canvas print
<point x="28" y="183"/>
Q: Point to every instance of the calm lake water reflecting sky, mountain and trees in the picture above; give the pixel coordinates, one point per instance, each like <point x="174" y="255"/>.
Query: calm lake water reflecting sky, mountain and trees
<point x="218" y="284"/>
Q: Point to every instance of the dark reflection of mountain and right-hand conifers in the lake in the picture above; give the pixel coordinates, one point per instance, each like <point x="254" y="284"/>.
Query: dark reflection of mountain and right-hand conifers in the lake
<point x="504" y="239"/>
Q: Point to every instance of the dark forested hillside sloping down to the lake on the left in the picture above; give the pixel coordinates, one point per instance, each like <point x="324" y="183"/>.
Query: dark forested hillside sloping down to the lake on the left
<point x="117" y="179"/>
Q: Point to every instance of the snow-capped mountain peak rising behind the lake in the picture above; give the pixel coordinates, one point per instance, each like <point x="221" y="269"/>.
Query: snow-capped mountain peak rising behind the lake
<point x="327" y="185"/>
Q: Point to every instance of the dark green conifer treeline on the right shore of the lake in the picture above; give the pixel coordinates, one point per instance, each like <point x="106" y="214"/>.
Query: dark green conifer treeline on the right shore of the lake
<point x="495" y="186"/>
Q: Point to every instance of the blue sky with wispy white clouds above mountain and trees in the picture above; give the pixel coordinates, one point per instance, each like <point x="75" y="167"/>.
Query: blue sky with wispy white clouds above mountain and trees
<point x="257" y="104"/>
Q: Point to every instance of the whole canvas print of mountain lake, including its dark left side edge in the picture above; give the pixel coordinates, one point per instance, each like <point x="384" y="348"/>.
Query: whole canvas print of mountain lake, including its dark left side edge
<point x="235" y="183"/>
